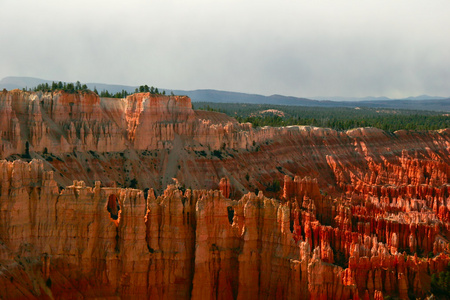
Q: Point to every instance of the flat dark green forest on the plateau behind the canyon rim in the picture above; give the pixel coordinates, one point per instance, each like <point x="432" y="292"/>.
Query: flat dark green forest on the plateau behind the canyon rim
<point x="338" y="118"/>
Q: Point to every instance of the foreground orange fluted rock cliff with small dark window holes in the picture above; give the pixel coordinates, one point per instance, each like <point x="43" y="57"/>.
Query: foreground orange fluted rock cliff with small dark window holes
<point x="103" y="242"/>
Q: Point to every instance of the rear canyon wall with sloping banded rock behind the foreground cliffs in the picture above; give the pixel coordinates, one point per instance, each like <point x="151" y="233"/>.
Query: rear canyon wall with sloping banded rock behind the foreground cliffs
<point x="146" y="140"/>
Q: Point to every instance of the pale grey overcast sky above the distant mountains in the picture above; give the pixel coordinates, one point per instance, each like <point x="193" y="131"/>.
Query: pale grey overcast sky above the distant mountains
<point x="352" y="48"/>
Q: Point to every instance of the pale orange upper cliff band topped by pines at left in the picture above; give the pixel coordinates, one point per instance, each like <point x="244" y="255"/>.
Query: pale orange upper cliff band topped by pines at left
<point x="82" y="121"/>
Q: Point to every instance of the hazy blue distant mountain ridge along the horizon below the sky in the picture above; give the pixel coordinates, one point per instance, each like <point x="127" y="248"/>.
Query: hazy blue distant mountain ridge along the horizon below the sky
<point x="422" y="102"/>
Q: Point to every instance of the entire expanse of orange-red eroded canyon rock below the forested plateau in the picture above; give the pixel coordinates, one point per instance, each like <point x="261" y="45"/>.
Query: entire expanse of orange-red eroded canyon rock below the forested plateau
<point x="360" y="214"/>
